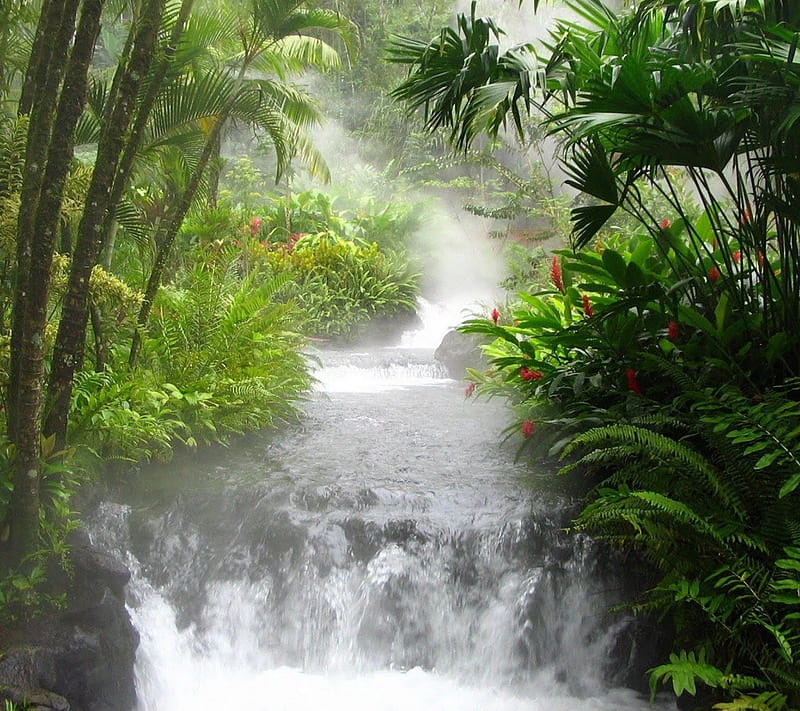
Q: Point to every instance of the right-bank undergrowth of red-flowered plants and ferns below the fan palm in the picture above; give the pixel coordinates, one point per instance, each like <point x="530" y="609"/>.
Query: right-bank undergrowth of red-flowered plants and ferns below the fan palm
<point x="691" y="444"/>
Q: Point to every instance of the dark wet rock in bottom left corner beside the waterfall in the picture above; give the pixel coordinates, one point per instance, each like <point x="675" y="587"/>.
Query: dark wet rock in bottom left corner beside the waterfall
<point x="78" y="658"/>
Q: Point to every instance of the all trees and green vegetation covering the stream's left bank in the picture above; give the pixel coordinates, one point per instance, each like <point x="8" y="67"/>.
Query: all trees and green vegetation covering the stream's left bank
<point x="148" y="298"/>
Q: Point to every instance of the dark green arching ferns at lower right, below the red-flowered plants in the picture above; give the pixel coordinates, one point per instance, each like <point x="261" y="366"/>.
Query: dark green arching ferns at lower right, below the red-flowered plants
<point x="709" y="494"/>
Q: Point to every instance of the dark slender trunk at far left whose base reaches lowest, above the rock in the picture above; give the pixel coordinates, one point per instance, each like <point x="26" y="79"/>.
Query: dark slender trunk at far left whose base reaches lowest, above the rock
<point x="30" y="341"/>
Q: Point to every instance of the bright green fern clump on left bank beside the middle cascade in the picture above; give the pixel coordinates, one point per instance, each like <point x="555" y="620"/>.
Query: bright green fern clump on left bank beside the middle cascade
<point x="226" y="351"/>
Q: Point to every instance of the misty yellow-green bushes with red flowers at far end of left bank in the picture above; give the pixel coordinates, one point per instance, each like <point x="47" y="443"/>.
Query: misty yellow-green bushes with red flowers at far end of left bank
<point x="341" y="268"/>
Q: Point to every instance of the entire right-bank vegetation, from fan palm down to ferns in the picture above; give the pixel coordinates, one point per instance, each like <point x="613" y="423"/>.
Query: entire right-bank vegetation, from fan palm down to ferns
<point x="663" y="358"/>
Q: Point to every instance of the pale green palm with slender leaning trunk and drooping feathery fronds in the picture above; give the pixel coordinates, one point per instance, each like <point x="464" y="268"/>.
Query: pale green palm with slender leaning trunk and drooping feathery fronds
<point x="276" y="38"/>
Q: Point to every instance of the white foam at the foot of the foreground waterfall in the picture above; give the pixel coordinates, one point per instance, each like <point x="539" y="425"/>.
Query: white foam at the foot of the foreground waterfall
<point x="177" y="672"/>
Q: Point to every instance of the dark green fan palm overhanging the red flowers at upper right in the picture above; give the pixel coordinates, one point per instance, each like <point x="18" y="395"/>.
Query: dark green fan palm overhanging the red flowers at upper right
<point x="703" y="89"/>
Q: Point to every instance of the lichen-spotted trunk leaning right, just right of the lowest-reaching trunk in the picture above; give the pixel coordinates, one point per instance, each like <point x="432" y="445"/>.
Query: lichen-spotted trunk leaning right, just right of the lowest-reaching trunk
<point x="68" y="353"/>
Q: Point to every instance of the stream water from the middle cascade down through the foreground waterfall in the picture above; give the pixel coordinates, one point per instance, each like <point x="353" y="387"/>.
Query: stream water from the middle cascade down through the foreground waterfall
<point x="387" y="552"/>
